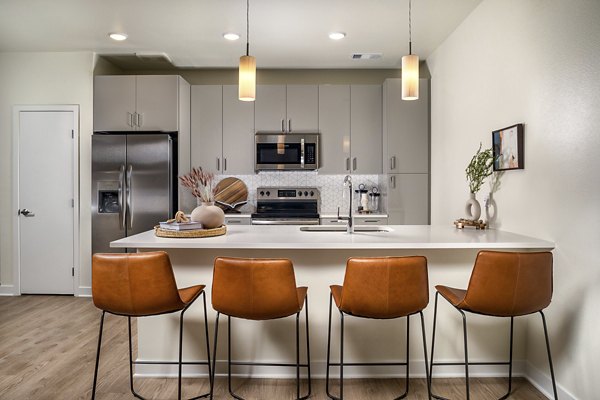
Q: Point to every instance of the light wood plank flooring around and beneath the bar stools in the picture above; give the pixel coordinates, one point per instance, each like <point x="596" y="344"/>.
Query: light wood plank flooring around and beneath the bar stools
<point x="48" y="348"/>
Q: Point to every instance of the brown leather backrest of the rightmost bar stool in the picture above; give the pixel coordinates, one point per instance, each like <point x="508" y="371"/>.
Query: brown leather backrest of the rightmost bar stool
<point x="509" y="283"/>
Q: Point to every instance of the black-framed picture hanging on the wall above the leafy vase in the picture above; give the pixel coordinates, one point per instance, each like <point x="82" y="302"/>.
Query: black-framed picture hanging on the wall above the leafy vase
<point x="507" y="144"/>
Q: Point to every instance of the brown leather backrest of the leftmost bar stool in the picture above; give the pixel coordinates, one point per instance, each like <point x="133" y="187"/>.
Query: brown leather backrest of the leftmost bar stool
<point x="134" y="284"/>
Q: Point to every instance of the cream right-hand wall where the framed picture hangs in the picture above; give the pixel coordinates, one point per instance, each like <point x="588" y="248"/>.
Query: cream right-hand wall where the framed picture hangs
<point x="535" y="62"/>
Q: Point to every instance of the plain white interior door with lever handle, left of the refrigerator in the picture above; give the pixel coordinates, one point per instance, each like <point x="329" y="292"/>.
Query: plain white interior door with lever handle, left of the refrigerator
<point x="46" y="201"/>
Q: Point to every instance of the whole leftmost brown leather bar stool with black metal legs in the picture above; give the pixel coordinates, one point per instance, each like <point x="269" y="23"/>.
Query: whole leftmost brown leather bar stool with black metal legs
<point x="140" y="285"/>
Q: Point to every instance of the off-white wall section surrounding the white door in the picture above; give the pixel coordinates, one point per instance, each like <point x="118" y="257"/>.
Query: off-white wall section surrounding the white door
<point x="44" y="78"/>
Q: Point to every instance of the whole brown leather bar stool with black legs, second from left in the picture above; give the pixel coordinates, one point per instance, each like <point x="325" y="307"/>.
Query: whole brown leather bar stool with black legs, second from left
<point x="258" y="289"/>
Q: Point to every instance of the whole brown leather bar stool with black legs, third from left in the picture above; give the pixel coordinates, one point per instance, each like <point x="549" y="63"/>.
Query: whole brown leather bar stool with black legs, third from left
<point x="380" y="288"/>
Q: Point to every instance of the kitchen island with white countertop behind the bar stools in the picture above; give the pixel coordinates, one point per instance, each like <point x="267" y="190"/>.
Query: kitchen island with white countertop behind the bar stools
<point x="319" y="261"/>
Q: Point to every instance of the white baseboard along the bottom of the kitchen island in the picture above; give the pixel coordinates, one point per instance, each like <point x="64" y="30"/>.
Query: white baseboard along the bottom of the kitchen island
<point x="417" y="370"/>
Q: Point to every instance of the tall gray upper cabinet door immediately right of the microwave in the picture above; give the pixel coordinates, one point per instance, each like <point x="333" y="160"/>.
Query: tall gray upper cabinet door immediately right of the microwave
<point x="334" y="125"/>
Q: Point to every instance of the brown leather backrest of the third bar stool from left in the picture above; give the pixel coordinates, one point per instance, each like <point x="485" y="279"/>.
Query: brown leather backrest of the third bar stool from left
<point x="385" y="287"/>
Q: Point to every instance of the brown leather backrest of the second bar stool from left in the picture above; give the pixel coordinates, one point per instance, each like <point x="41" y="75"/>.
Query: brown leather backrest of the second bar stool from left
<point x="254" y="288"/>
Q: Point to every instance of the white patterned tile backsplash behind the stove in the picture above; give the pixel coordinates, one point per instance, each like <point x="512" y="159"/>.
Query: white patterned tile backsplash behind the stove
<point x="333" y="193"/>
